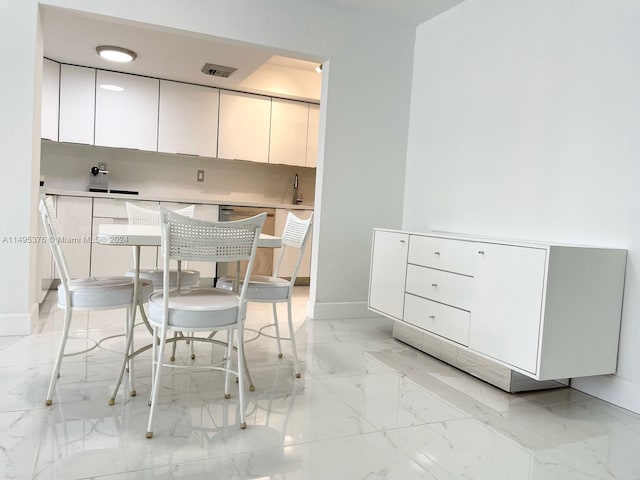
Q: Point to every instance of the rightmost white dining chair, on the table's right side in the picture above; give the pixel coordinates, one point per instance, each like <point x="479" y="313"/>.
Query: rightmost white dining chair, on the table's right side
<point x="275" y="289"/>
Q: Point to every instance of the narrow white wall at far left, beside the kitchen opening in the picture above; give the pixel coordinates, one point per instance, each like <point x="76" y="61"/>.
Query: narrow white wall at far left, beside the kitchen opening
<point x="20" y="147"/>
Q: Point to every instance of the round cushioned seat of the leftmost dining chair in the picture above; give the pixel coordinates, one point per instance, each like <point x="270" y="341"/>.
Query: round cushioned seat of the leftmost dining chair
<point x="102" y="292"/>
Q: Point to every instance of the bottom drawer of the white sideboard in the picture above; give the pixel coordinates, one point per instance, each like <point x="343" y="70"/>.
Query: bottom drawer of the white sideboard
<point x="448" y="322"/>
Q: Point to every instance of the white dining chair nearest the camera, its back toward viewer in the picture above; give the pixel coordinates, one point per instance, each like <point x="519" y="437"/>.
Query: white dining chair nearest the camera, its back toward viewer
<point x="202" y="309"/>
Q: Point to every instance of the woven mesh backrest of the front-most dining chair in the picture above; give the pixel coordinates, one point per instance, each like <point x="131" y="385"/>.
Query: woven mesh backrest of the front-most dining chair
<point x="187" y="239"/>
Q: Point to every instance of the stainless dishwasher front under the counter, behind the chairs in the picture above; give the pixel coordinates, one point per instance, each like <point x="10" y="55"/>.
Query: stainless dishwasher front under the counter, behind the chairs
<point x="264" y="256"/>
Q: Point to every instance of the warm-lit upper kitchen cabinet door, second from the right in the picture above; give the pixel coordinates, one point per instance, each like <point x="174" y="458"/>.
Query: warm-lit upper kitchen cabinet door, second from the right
<point x="289" y="122"/>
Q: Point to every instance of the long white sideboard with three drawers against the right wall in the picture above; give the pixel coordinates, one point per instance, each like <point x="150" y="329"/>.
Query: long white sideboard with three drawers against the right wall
<point x="505" y="311"/>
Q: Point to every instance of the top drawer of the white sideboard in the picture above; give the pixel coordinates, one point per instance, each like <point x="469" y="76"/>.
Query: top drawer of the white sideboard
<point x="457" y="256"/>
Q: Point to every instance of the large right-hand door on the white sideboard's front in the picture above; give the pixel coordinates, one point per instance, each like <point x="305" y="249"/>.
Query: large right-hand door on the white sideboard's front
<point x="507" y="304"/>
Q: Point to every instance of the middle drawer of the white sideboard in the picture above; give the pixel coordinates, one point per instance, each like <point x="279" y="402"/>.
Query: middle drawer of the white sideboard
<point x="443" y="287"/>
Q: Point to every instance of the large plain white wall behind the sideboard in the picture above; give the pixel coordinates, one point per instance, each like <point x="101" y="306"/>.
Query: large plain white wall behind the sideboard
<point x="524" y="124"/>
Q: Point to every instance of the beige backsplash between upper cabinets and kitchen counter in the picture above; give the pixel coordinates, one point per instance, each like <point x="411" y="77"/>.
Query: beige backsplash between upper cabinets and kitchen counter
<point x="66" y="166"/>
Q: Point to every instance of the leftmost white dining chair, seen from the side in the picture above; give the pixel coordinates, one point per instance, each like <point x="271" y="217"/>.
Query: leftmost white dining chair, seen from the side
<point x="90" y="293"/>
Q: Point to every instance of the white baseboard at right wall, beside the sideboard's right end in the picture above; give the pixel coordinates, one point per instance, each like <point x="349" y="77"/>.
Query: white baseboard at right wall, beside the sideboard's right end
<point x="611" y="388"/>
